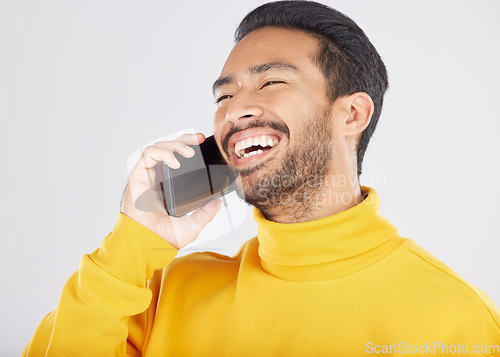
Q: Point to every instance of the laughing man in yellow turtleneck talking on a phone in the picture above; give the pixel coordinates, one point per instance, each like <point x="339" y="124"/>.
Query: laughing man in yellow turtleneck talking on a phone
<point x="298" y="100"/>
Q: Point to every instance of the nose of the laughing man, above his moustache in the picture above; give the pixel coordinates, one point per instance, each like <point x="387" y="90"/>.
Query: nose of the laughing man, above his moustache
<point x="242" y="105"/>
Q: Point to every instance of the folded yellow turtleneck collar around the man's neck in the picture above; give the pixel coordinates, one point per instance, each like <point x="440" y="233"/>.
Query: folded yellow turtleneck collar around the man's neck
<point x="330" y="247"/>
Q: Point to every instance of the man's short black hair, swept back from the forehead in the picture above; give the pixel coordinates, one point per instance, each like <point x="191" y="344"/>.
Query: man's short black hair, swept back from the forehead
<point x="346" y="57"/>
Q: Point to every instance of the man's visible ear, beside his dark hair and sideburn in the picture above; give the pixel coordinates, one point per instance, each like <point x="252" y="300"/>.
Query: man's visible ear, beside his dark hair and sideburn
<point x="358" y="108"/>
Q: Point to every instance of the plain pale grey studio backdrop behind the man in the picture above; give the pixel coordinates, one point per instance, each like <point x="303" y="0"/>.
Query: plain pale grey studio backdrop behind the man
<point x="85" y="83"/>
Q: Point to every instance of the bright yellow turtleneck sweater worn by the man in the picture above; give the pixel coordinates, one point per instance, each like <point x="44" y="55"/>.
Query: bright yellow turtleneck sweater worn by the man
<point x="344" y="285"/>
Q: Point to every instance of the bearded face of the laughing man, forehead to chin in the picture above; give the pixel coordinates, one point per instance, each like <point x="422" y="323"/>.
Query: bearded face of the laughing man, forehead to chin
<point x="273" y="120"/>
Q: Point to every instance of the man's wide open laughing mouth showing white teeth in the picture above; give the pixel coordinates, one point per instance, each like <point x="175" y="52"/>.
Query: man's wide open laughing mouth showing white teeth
<point x="254" y="148"/>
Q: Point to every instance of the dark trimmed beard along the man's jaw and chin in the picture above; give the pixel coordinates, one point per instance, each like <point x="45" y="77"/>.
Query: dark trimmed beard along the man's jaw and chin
<point x="293" y="189"/>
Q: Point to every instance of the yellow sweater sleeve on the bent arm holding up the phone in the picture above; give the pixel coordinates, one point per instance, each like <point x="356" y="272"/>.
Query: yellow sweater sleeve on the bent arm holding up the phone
<point x="102" y="309"/>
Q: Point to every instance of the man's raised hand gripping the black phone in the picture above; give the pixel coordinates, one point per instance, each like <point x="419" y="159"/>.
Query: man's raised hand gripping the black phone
<point x="178" y="232"/>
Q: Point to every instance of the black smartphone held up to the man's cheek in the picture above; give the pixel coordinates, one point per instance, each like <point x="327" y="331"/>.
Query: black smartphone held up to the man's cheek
<point x="198" y="180"/>
